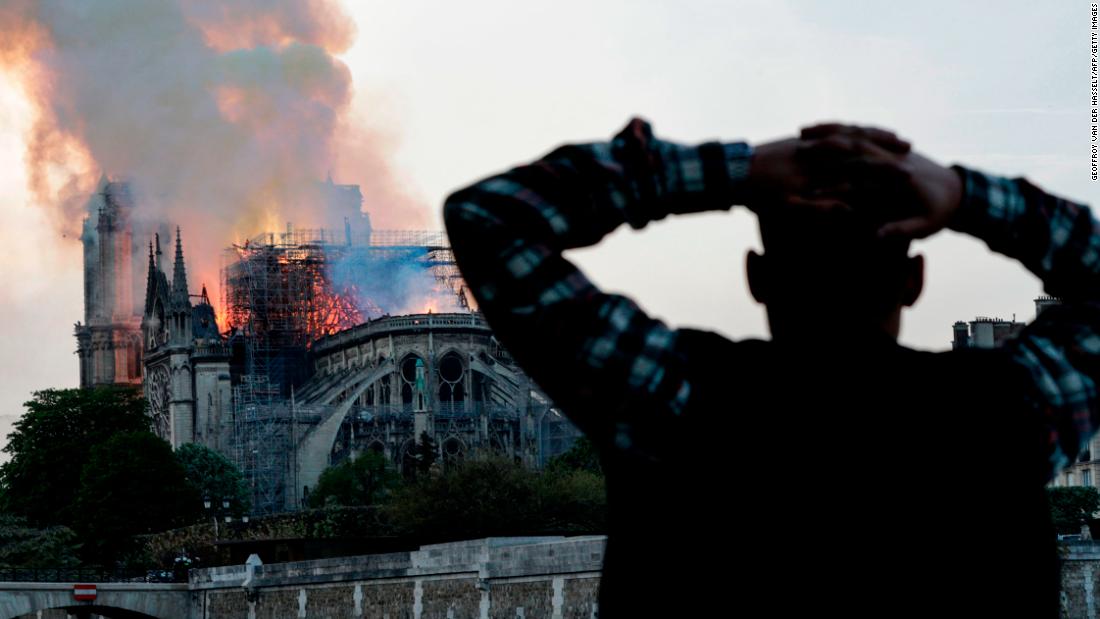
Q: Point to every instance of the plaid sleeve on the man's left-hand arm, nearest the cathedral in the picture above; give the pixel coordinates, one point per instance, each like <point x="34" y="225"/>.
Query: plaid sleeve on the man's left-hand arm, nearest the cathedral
<point x="600" y="357"/>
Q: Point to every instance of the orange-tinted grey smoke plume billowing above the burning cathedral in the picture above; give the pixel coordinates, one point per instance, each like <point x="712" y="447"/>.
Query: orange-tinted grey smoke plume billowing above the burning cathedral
<point x="222" y="116"/>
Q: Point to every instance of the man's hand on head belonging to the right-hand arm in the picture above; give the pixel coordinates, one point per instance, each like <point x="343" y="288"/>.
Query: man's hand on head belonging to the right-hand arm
<point x="918" y="197"/>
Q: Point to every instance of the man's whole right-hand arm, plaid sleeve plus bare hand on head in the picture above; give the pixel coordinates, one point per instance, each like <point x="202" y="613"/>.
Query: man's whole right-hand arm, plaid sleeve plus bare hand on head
<point x="1055" y="239"/>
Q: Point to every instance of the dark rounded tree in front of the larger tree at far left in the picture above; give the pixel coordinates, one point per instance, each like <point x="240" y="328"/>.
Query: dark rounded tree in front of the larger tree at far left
<point x="131" y="484"/>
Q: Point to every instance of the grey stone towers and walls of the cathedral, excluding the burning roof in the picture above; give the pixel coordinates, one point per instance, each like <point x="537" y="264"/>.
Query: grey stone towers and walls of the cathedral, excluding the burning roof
<point x="380" y="385"/>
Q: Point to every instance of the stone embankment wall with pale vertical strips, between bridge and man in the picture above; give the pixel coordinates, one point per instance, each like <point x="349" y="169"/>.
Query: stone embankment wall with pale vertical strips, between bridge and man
<point x="530" y="578"/>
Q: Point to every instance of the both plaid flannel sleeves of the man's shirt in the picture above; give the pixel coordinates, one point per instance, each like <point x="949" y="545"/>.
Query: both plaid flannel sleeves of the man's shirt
<point x="613" y="369"/>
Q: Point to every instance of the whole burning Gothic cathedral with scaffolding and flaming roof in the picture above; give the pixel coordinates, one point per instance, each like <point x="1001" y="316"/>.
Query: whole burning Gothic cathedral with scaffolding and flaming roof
<point x="327" y="342"/>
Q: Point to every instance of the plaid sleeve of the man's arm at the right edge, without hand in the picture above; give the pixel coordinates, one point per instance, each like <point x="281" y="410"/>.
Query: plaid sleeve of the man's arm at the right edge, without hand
<point x="1059" y="241"/>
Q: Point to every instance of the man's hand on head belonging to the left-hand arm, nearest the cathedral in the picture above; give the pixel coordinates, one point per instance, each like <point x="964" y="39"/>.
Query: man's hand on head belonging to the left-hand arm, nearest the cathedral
<point x="784" y="172"/>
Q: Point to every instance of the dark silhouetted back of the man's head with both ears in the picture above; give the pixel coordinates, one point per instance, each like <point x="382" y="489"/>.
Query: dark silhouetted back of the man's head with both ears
<point x="827" y="275"/>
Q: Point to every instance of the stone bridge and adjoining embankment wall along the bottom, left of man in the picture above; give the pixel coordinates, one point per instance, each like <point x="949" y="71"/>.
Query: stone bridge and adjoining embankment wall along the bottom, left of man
<point x="470" y="579"/>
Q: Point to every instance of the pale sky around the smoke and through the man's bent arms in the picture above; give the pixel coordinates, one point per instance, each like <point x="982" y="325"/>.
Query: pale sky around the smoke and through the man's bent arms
<point x="464" y="90"/>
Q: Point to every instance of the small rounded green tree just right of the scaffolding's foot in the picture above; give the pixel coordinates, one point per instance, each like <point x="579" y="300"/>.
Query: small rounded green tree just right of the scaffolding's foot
<point x="365" y="481"/>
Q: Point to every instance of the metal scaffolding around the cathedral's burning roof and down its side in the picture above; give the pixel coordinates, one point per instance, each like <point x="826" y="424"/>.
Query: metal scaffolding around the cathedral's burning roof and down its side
<point x="281" y="294"/>
